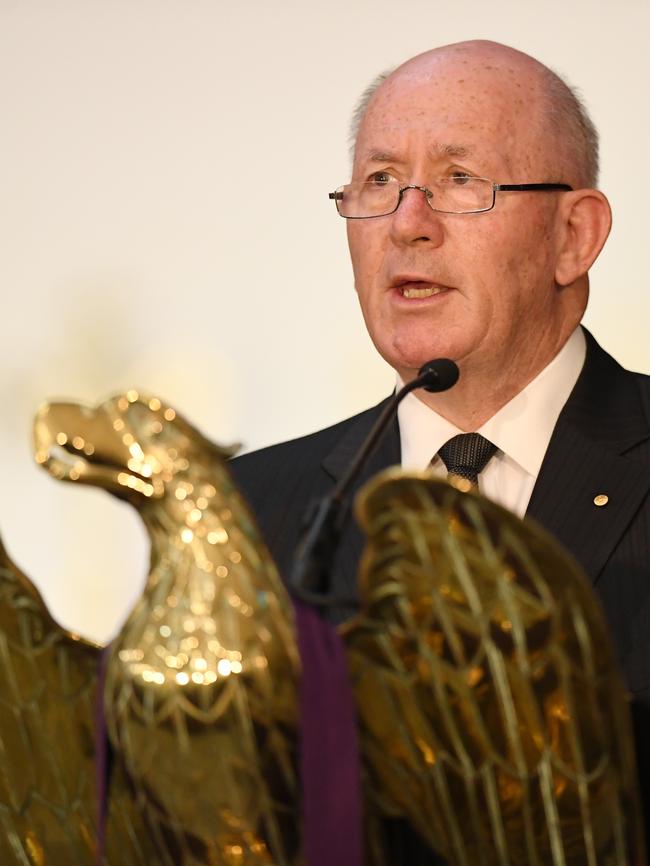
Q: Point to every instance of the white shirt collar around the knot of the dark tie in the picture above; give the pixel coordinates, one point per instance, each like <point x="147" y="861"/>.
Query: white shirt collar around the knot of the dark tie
<point x="521" y="429"/>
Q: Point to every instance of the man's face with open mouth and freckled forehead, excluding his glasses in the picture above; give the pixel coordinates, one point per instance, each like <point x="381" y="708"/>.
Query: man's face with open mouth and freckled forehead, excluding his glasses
<point x="477" y="288"/>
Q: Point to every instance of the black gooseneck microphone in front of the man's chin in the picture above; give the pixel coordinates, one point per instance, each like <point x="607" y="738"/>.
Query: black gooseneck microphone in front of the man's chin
<point x="324" y="521"/>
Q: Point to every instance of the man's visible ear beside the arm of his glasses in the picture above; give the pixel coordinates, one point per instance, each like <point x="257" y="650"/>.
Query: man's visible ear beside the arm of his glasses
<point x="586" y="220"/>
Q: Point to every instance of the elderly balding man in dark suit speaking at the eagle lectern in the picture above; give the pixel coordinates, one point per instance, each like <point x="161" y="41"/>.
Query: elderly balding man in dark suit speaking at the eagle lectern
<point x="472" y="222"/>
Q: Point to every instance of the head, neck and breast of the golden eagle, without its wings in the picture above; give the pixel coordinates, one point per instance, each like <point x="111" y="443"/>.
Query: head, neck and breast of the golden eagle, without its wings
<point x="201" y="683"/>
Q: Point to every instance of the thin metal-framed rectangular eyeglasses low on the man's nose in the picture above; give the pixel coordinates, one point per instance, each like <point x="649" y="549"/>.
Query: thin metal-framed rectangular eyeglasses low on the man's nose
<point x="457" y="195"/>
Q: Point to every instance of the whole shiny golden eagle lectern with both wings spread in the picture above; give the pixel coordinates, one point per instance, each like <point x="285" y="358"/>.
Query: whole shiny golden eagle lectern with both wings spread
<point x="490" y="711"/>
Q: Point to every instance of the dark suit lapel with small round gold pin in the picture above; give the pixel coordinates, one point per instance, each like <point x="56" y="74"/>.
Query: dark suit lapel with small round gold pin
<point x="602" y="421"/>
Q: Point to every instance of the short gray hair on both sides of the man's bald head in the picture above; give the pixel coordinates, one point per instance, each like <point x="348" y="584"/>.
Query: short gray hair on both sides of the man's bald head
<point x="566" y="114"/>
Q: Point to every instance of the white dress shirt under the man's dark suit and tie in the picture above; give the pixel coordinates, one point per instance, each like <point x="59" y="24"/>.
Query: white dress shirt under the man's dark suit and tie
<point x="521" y="430"/>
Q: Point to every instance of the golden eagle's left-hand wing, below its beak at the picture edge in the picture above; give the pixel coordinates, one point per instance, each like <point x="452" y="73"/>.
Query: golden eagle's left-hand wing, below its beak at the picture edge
<point x="48" y="691"/>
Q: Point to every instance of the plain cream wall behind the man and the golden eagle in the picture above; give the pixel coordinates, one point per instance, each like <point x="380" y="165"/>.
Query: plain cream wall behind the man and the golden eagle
<point x="164" y="224"/>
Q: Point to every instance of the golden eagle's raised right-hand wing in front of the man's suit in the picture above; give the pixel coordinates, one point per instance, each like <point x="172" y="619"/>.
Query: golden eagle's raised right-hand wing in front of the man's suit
<point x="492" y="714"/>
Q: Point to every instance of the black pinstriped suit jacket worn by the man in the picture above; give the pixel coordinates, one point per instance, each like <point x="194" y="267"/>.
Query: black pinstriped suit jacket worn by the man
<point x="600" y="445"/>
